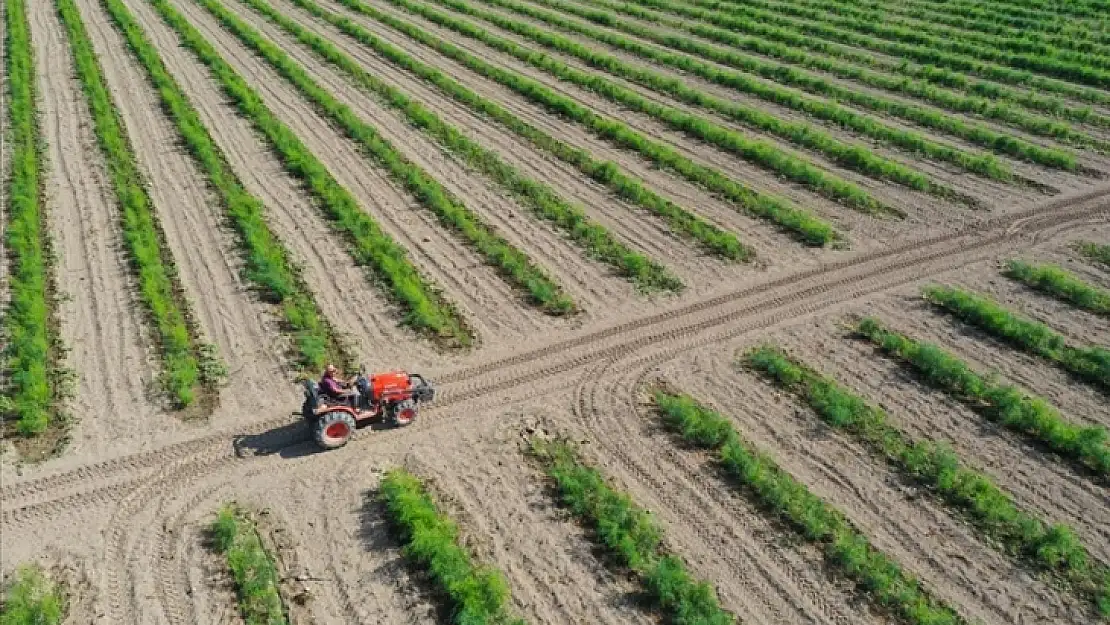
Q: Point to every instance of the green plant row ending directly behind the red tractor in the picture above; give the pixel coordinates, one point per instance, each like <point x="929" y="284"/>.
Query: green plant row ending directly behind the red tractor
<point x="268" y="264"/>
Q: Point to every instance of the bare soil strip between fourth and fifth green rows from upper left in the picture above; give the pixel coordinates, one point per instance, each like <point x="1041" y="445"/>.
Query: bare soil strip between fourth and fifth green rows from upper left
<point x="490" y="305"/>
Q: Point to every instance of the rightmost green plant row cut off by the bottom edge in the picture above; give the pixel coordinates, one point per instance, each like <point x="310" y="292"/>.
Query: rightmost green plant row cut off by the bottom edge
<point x="845" y="549"/>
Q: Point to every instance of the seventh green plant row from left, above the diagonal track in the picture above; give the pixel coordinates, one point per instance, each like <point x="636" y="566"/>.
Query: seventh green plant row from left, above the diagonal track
<point x="681" y="221"/>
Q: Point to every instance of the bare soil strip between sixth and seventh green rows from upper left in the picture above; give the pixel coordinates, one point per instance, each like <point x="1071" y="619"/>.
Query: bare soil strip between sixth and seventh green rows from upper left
<point x="632" y="225"/>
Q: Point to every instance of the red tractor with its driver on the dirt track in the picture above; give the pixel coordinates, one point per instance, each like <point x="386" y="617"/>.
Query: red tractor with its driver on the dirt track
<point x="391" y="398"/>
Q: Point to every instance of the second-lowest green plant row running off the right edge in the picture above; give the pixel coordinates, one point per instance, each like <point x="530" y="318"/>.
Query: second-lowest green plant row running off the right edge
<point x="1015" y="409"/>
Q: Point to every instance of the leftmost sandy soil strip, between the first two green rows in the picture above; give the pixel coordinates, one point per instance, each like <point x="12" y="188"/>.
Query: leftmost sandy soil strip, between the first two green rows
<point x="99" y="314"/>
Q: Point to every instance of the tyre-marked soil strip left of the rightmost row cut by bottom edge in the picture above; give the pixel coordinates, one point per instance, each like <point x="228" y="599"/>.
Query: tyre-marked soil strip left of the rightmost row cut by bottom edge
<point x="779" y="587"/>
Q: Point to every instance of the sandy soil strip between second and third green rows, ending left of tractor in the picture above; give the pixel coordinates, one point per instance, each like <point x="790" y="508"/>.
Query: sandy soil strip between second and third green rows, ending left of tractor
<point x="198" y="235"/>
